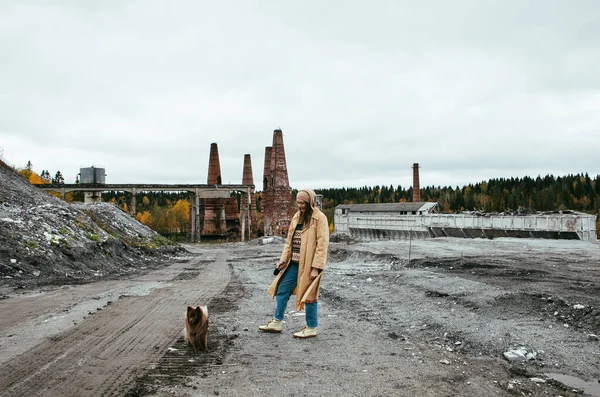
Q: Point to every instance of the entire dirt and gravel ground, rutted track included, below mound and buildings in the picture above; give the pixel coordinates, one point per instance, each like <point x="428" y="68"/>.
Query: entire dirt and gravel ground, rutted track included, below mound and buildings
<point x="437" y="325"/>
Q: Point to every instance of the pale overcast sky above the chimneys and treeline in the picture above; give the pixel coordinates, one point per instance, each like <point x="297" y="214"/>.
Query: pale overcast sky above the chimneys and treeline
<point x="470" y="90"/>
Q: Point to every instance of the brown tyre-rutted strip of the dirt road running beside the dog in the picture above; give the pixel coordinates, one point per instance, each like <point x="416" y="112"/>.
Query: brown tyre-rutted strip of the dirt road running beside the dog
<point x="103" y="355"/>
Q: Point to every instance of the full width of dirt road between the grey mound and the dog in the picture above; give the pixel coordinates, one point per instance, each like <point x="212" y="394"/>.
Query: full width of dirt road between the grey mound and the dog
<point x="93" y="340"/>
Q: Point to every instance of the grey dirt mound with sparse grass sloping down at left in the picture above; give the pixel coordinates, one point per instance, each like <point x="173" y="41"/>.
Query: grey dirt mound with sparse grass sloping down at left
<point x="44" y="240"/>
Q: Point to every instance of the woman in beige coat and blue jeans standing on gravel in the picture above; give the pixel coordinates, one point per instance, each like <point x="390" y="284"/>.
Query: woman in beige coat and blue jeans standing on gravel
<point x="301" y="264"/>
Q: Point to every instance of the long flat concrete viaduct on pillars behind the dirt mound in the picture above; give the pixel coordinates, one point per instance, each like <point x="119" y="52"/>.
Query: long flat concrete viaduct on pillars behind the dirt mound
<point x="199" y="192"/>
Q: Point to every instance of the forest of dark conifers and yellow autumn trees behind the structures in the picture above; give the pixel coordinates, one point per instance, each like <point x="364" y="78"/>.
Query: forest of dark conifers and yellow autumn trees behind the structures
<point x="168" y="212"/>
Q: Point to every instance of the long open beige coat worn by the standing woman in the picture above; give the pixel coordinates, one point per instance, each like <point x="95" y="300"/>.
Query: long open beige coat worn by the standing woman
<point x="313" y="253"/>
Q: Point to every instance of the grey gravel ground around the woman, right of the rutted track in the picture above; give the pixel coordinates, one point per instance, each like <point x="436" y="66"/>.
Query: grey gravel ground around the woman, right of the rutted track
<point x="439" y="325"/>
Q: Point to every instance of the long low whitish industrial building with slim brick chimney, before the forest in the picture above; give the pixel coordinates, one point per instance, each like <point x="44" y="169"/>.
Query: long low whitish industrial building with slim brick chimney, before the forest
<point x="423" y="220"/>
